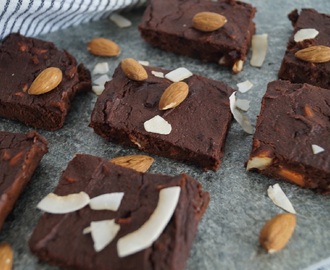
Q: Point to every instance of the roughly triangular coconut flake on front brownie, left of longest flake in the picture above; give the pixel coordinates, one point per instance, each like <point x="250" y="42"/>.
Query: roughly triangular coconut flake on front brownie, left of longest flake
<point x="103" y="232"/>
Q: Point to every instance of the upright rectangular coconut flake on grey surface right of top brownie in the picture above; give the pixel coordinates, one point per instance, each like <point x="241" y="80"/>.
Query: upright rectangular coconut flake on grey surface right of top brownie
<point x="259" y="50"/>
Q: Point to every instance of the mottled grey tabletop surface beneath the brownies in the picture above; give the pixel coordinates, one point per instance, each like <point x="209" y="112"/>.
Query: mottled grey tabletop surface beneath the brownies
<point x="228" y="233"/>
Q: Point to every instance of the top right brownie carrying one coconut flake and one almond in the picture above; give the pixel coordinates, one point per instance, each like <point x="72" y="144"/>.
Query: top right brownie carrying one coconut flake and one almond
<point x="299" y="71"/>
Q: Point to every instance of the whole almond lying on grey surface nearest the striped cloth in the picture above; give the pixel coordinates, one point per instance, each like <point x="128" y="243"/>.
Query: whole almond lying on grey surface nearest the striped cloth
<point x="103" y="47"/>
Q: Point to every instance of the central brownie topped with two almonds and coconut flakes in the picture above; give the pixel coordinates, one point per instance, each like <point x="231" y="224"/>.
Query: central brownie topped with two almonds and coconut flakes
<point x="199" y="124"/>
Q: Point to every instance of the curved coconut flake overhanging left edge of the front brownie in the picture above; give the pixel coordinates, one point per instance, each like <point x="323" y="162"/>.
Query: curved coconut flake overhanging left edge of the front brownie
<point x="56" y="204"/>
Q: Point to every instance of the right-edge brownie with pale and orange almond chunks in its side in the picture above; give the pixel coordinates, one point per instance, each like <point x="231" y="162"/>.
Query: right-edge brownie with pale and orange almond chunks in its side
<point x="293" y="118"/>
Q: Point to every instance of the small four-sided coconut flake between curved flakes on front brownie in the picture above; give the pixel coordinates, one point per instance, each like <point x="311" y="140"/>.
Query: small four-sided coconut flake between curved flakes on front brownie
<point x="108" y="201"/>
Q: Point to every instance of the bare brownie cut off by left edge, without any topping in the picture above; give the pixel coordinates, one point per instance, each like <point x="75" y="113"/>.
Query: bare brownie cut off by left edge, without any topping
<point x="20" y="155"/>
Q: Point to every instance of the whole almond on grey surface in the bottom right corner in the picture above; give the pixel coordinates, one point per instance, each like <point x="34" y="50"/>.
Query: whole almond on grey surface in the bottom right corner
<point x="277" y="232"/>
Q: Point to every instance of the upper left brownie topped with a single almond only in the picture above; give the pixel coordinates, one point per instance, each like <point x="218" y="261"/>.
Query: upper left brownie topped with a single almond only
<point x="22" y="59"/>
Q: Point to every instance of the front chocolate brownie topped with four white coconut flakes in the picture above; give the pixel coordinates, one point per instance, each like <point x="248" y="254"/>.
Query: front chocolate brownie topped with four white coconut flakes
<point x="59" y="239"/>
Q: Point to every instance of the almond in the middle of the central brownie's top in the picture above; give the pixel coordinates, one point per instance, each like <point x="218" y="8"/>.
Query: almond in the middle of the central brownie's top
<point x="173" y="95"/>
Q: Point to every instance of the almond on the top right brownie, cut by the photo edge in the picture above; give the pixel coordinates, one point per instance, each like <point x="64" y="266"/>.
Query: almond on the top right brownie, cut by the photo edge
<point x="314" y="54"/>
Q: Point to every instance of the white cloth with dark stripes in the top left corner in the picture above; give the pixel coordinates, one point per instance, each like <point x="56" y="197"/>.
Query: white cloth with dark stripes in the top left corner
<point x="34" y="17"/>
